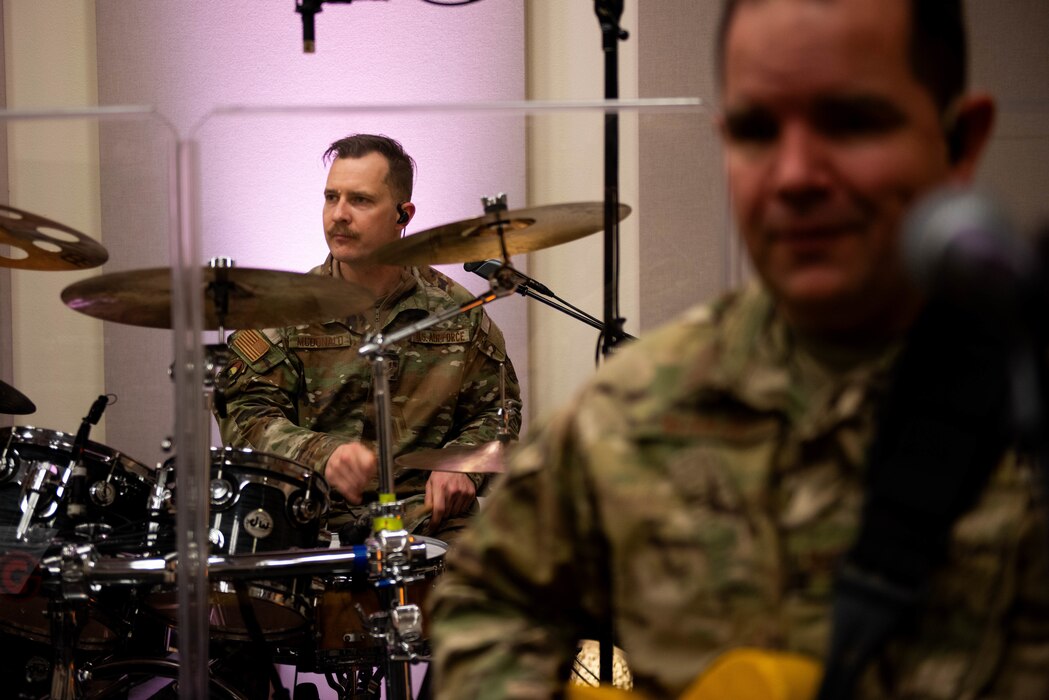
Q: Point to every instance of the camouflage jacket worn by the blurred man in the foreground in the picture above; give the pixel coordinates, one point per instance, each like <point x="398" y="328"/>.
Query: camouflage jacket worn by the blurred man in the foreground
<point x="702" y="489"/>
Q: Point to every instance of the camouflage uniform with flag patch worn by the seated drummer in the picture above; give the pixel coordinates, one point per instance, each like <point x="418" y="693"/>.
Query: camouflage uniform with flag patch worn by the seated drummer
<point x="301" y="392"/>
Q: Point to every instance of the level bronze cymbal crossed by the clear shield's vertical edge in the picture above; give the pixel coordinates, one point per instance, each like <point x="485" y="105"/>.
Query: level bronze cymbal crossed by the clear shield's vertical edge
<point x="256" y="299"/>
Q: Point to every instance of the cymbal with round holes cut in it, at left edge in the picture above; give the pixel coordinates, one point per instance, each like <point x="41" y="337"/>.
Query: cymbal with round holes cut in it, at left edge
<point x="41" y="244"/>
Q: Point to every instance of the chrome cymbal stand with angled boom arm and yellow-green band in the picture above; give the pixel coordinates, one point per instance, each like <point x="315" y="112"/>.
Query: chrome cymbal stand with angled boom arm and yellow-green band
<point x="391" y="555"/>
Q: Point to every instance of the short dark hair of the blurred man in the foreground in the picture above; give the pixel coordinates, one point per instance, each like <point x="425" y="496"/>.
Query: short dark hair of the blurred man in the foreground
<point x="938" y="49"/>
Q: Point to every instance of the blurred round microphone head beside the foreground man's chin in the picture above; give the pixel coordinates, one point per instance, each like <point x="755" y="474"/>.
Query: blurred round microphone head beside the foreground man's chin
<point x="960" y="245"/>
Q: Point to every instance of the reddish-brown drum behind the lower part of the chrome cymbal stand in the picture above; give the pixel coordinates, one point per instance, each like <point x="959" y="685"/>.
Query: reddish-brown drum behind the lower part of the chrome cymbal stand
<point x="344" y="610"/>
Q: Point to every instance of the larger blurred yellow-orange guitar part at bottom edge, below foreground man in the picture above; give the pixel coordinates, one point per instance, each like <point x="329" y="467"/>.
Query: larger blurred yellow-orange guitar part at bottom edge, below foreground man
<point x="757" y="674"/>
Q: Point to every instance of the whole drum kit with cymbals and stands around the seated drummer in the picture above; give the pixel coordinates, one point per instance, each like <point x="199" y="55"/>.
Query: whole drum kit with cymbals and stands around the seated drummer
<point x="89" y="562"/>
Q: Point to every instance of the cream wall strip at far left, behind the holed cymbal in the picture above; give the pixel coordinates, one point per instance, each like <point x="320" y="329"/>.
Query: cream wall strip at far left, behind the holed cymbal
<point x="53" y="168"/>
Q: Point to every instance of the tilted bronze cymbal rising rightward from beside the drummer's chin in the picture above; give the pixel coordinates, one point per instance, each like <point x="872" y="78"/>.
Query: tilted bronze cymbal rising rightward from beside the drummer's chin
<point x="524" y="230"/>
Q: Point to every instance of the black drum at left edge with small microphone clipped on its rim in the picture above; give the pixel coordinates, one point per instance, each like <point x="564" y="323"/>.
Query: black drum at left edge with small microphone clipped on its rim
<point x="118" y="487"/>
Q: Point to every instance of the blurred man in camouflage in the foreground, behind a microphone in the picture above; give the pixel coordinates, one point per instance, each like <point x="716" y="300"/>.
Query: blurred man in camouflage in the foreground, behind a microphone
<point x="719" y="484"/>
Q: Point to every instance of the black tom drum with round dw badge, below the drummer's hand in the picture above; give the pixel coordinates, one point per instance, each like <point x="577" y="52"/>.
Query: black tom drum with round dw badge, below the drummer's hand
<point x="259" y="503"/>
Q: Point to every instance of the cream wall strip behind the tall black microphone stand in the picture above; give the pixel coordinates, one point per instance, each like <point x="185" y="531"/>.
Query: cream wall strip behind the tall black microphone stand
<point x="567" y="62"/>
